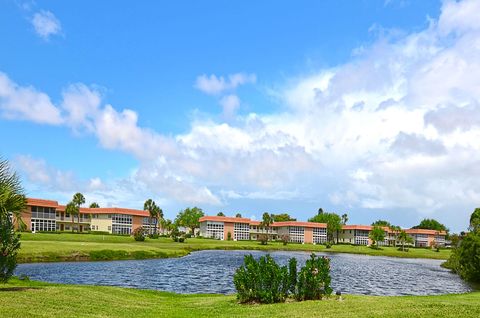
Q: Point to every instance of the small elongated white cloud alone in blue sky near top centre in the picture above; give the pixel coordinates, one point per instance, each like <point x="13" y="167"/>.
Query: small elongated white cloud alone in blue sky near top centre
<point x="214" y="85"/>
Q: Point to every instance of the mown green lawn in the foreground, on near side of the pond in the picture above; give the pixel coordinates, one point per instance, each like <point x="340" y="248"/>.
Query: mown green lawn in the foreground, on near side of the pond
<point x="35" y="299"/>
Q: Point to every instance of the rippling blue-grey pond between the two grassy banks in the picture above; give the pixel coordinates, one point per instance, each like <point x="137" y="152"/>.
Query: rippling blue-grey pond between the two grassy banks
<point x="212" y="272"/>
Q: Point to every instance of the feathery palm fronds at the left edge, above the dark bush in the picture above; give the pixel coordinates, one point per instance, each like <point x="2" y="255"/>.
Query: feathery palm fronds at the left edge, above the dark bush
<point x="12" y="197"/>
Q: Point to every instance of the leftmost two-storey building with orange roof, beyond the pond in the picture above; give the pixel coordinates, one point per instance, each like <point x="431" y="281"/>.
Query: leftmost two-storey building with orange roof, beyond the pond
<point x="47" y="216"/>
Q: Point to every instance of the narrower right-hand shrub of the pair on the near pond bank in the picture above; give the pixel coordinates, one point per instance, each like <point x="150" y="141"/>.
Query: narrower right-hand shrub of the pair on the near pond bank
<point x="314" y="279"/>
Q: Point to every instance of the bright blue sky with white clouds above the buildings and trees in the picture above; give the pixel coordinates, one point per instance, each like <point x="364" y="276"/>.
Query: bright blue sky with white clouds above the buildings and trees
<point x="369" y="108"/>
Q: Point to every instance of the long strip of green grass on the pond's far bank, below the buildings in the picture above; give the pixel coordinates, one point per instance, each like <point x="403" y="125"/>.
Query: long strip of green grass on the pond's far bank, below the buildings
<point x="42" y="247"/>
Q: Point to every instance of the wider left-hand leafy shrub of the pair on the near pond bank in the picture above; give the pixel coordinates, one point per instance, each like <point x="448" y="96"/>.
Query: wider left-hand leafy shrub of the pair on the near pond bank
<point x="262" y="281"/>
